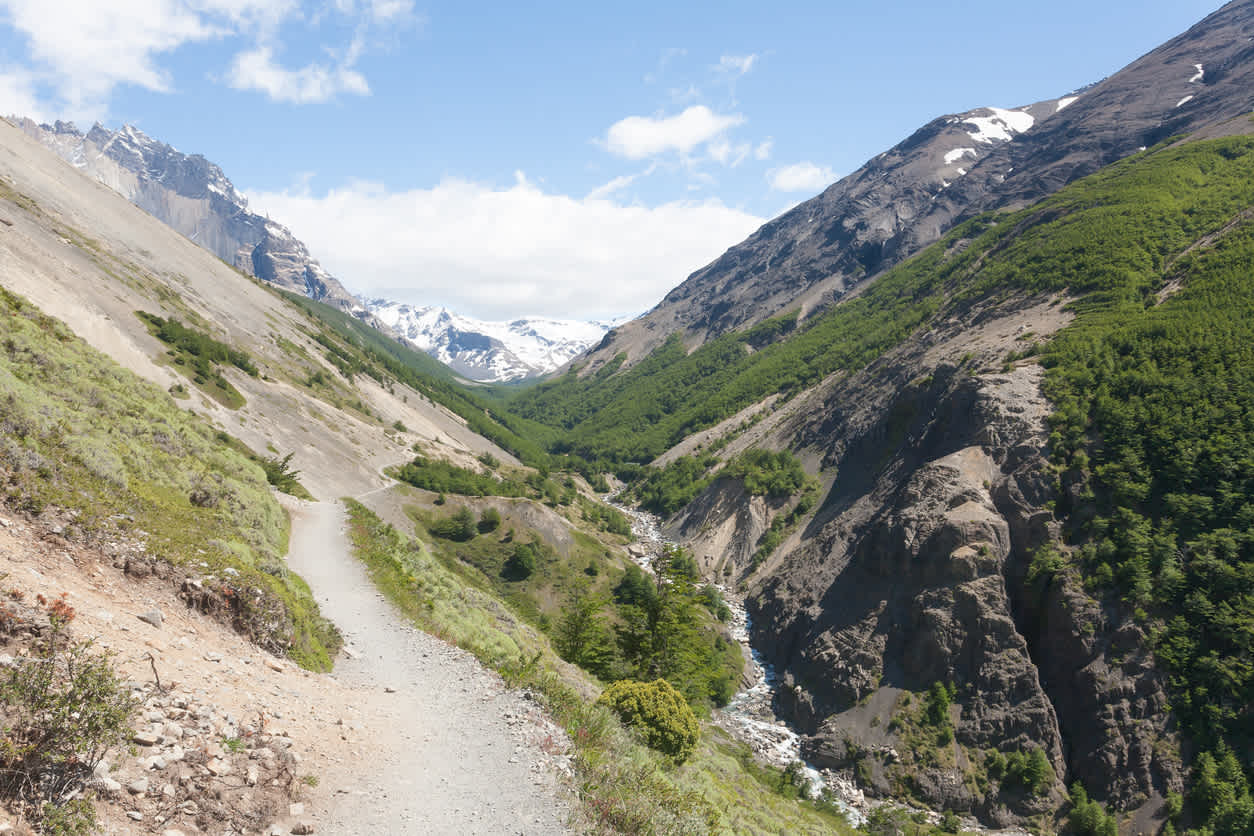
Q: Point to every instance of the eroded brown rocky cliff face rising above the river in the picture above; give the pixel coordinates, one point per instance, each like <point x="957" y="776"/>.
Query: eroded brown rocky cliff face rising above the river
<point x="919" y="568"/>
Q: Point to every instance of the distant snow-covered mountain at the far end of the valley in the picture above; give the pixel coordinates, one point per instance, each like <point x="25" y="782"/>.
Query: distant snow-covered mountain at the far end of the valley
<point x="490" y="352"/>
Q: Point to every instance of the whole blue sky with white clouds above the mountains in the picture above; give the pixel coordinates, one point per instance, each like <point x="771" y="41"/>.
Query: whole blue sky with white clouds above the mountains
<point x="559" y="159"/>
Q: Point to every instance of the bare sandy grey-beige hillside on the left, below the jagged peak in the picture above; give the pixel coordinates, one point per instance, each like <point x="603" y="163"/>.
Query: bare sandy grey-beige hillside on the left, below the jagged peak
<point x="86" y="256"/>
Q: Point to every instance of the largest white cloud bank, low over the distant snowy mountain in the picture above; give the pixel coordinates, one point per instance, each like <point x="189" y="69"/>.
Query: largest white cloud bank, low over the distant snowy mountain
<point x="498" y="253"/>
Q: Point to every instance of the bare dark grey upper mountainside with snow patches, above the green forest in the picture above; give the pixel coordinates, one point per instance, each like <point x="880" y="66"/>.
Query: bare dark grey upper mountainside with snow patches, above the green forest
<point x="951" y="170"/>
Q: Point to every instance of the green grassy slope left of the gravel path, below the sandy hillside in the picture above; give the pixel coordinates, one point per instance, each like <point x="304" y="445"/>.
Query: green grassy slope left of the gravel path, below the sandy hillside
<point x="82" y="434"/>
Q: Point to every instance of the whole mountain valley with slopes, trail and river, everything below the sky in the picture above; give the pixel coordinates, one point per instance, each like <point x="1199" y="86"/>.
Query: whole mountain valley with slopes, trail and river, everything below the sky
<point x="926" y="509"/>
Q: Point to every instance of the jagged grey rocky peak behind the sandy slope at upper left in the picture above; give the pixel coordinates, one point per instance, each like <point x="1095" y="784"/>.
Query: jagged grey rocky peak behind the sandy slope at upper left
<point x="194" y="196"/>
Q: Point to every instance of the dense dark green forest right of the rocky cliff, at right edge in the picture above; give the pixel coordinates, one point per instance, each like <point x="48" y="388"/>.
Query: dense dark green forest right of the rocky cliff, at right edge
<point x="1156" y="423"/>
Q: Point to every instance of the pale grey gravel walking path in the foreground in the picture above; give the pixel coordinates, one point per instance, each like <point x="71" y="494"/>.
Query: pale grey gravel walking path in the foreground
<point x="452" y="750"/>
